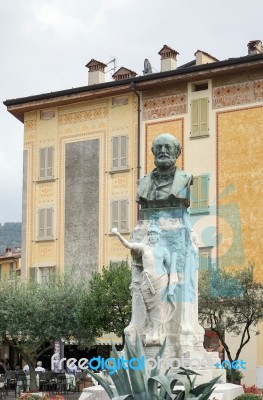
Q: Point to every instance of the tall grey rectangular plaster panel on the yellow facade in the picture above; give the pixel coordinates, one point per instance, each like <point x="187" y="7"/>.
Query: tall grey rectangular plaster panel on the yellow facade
<point x="82" y="206"/>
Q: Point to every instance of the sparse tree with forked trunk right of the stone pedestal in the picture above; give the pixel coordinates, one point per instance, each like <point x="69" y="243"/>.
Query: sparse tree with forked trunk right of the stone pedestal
<point x="231" y="302"/>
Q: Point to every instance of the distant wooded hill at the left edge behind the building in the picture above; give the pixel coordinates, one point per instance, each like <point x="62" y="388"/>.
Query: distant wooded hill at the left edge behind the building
<point x="10" y="235"/>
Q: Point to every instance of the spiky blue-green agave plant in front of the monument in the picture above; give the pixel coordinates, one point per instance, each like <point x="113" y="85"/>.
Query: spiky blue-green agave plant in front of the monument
<point x="139" y="384"/>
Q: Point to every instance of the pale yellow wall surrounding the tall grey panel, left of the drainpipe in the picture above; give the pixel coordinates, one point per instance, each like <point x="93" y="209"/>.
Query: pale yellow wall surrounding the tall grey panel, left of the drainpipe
<point x="98" y="119"/>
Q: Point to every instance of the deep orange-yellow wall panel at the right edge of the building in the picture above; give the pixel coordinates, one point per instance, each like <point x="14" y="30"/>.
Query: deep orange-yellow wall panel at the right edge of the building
<point x="240" y="177"/>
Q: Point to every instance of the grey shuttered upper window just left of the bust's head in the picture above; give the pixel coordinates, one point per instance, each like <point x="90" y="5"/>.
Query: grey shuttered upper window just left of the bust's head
<point x="119" y="152"/>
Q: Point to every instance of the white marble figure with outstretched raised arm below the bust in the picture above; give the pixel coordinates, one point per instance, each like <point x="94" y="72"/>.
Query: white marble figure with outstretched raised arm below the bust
<point x="155" y="286"/>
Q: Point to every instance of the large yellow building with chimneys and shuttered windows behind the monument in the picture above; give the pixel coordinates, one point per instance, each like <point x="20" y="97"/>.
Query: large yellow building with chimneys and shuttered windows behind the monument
<point x="85" y="148"/>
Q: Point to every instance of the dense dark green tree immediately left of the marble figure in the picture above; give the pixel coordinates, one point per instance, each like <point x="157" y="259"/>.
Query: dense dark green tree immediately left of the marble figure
<point x="107" y="305"/>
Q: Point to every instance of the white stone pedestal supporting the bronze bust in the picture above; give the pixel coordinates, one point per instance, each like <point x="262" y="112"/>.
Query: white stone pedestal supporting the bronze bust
<point x="173" y="315"/>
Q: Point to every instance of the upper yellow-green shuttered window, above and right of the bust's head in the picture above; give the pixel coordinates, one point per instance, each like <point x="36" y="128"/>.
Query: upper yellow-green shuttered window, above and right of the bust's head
<point x="199" y="117"/>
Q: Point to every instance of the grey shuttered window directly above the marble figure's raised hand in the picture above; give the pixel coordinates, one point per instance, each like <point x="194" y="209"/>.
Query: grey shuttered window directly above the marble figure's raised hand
<point x="119" y="215"/>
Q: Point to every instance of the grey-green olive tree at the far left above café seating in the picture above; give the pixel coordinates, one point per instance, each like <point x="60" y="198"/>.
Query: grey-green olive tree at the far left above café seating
<point x="33" y="316"/>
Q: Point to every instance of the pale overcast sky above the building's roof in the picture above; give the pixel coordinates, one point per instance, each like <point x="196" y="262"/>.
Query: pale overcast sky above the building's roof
<point x="45" y="45"/>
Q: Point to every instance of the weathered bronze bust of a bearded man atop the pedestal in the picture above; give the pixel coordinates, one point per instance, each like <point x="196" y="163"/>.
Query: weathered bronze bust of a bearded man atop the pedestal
<point x="166" y="185"/>
